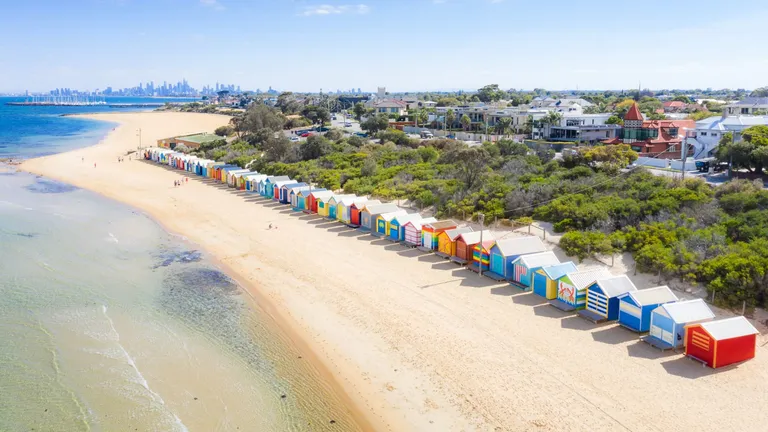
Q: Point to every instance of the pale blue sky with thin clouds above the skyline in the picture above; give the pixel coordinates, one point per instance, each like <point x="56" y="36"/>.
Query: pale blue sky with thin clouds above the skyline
<point x="403" y="45"/>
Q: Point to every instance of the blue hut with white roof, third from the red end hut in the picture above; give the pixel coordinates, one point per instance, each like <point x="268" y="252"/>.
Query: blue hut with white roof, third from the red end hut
<point x="635" y="307"/>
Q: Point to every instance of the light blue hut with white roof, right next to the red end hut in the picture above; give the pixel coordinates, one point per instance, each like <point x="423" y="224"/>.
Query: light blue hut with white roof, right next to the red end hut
<point x="668" y="322"/>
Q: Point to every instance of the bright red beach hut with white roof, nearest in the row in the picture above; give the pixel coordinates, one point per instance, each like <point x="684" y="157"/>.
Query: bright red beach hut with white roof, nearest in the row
<point x="722" y="342"/>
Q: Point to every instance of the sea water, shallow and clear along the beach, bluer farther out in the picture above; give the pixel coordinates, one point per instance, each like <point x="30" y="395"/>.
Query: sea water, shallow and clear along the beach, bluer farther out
<point x="109" y="323"/>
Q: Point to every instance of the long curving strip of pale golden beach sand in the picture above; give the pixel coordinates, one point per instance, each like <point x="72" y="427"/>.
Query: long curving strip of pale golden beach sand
<point x="417" y="343"/>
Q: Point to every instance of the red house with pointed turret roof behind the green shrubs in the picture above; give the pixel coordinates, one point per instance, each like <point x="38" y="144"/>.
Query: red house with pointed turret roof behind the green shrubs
<point x="660" y="139"/>
